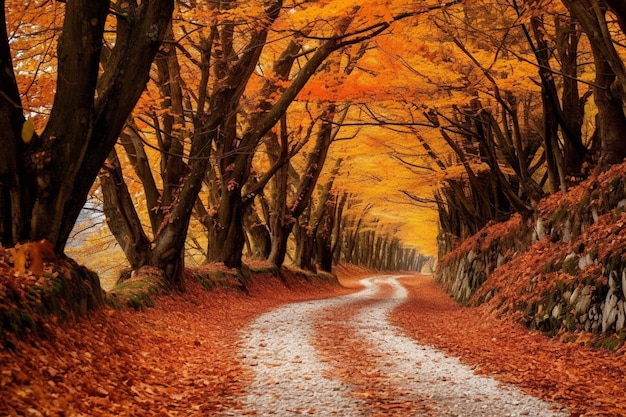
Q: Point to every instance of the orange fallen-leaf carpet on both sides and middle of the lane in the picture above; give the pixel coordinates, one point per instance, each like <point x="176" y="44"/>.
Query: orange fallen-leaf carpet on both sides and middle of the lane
<point x="188" y="355"/>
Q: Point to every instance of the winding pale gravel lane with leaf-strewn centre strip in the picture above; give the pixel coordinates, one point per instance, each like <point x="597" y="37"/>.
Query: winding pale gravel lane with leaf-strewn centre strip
<point x="301" y="357"/>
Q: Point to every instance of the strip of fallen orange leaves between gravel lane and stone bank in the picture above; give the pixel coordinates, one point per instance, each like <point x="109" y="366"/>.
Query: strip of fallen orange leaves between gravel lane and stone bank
<point x="587" y="381"/>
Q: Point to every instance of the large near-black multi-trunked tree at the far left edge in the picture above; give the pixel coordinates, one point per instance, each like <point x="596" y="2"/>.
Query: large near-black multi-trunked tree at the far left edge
<point x="45" y="179"/>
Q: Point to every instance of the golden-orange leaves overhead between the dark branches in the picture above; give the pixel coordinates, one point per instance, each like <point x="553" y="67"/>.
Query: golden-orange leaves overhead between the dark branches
<point x="412" y="67"/>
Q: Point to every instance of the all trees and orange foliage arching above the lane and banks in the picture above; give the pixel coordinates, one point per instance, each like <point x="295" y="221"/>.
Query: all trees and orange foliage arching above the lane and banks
<point x="309" y="132"/>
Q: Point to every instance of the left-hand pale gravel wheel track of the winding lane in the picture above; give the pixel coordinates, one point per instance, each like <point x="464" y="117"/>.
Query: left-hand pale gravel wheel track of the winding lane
<point x="289" y="374"/>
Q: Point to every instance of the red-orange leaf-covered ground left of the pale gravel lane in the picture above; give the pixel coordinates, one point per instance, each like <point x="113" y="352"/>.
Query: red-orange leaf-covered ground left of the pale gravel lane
<point x="177" y="359"/>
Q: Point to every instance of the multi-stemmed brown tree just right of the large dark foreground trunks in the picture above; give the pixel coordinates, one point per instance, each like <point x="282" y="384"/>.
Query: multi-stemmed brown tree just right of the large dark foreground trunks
<point x="207" y="118"/>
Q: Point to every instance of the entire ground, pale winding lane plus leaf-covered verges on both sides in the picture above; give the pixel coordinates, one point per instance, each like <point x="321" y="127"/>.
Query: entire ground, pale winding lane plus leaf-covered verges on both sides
<point x="359" y="355"/>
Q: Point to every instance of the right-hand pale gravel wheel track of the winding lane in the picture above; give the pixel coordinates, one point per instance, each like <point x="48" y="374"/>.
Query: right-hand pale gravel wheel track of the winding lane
<point x="452" y="387"/>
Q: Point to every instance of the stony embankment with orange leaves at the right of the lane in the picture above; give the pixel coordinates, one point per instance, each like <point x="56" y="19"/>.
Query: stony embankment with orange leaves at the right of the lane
<point x="562" y="270"/>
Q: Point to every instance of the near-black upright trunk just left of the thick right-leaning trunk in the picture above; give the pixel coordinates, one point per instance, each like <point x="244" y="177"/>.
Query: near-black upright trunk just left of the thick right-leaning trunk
<point x="71" y="124"/>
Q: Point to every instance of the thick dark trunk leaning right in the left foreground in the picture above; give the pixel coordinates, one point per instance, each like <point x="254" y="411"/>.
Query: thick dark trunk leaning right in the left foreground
<point x="119" y="88"/>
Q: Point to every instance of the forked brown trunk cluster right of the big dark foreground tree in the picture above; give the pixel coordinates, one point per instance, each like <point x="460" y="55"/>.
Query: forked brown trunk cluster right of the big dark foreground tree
<point x="170" y="209"/>
